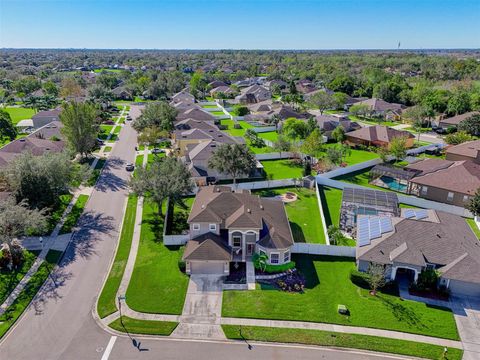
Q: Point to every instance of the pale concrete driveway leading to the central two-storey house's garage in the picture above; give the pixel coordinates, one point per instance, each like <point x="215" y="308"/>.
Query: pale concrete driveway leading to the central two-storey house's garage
<point x="202" y="309"/>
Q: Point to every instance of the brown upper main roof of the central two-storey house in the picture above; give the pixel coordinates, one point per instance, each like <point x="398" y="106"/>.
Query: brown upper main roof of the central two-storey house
<point x="218" y="204"/>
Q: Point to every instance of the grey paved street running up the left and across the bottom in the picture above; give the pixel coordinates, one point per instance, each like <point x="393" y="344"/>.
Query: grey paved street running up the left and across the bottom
<point x="59" y="324"/>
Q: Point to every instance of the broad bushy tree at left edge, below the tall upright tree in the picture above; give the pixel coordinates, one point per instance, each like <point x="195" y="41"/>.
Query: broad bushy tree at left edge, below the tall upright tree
<point x="41" y="180"/>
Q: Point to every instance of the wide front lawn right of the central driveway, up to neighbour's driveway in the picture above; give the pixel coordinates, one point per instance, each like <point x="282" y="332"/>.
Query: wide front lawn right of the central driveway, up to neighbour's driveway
<point x="328" y="285"/>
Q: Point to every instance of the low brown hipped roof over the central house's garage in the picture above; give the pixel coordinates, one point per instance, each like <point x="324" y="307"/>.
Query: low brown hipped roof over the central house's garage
<point x="207" y="247"/>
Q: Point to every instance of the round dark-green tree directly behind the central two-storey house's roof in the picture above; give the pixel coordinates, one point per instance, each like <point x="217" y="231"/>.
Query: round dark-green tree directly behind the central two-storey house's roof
<point x="232" y="159"/>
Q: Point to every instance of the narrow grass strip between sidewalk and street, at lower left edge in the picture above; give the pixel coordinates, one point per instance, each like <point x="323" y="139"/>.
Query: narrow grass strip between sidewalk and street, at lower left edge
<point x="14" y="311"/>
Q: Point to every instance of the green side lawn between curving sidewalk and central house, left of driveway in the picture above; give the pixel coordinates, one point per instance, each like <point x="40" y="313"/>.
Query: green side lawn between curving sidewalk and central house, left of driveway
<point x="157" y="285"/>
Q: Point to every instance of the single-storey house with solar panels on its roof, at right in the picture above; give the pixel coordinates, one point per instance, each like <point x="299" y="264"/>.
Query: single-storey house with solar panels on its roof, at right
<point x="418" y="240"/>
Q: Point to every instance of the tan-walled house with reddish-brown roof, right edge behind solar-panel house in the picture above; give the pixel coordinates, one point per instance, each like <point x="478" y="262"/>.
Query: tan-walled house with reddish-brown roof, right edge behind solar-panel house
<point x="450" y="182"/>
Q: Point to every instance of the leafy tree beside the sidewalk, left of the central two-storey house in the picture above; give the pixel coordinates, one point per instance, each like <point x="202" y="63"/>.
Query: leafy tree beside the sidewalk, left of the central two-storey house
<point x="164" y="178"/>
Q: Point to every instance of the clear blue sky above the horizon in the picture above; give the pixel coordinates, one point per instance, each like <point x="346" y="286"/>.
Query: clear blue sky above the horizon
<point x="240" y="24"/>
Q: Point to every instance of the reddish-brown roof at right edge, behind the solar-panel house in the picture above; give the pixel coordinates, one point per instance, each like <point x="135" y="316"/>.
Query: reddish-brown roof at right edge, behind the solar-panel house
<point x="461" y="176"/>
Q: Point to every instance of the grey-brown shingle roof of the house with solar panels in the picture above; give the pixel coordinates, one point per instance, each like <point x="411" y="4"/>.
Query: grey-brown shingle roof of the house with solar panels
<point x="447" y="242"/>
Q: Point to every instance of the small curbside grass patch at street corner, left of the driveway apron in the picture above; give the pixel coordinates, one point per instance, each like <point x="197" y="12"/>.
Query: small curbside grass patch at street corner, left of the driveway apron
<point x="144" y="327"/>
